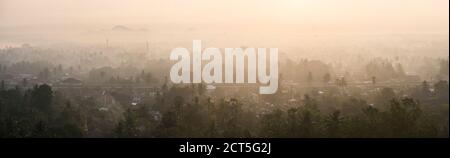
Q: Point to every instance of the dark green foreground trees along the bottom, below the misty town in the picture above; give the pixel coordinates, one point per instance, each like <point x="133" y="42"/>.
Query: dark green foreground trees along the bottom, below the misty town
<point x="42" y="112"/>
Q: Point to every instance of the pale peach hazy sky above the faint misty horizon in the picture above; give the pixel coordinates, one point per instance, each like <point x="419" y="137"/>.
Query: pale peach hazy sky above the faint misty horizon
<point x="410" y="15"/>
